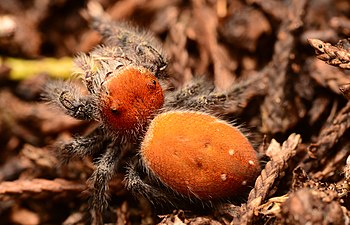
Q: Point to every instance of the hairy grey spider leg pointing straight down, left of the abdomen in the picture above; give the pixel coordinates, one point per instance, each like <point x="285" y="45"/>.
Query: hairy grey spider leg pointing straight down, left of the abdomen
<point x="105" y="169"/>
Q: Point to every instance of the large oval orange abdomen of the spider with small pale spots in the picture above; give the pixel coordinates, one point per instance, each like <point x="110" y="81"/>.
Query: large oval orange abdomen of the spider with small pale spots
<point x="197" y="154"/>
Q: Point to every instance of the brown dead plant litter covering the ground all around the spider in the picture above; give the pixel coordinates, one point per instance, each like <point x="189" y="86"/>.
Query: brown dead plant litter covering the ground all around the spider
<point x="248" y="61"/>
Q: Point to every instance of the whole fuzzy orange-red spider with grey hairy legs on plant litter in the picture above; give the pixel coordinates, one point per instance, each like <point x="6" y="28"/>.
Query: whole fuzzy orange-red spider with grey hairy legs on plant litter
<point x="182" y="154"/>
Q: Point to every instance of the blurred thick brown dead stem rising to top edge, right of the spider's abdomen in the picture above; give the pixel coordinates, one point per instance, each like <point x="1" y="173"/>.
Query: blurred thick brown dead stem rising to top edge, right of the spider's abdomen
<point x="279" y="110"/>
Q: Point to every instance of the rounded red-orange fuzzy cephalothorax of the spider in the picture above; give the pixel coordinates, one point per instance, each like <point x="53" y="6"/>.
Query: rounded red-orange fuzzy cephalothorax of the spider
<point x="132" y="96"/>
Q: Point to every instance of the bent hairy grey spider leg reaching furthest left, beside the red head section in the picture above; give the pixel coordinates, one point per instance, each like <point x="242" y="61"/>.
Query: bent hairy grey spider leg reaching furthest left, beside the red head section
<point x="66" y="96"/>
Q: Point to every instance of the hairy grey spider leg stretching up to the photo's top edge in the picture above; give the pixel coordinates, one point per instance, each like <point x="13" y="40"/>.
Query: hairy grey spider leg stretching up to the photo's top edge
<point x="138" y="45"/>
